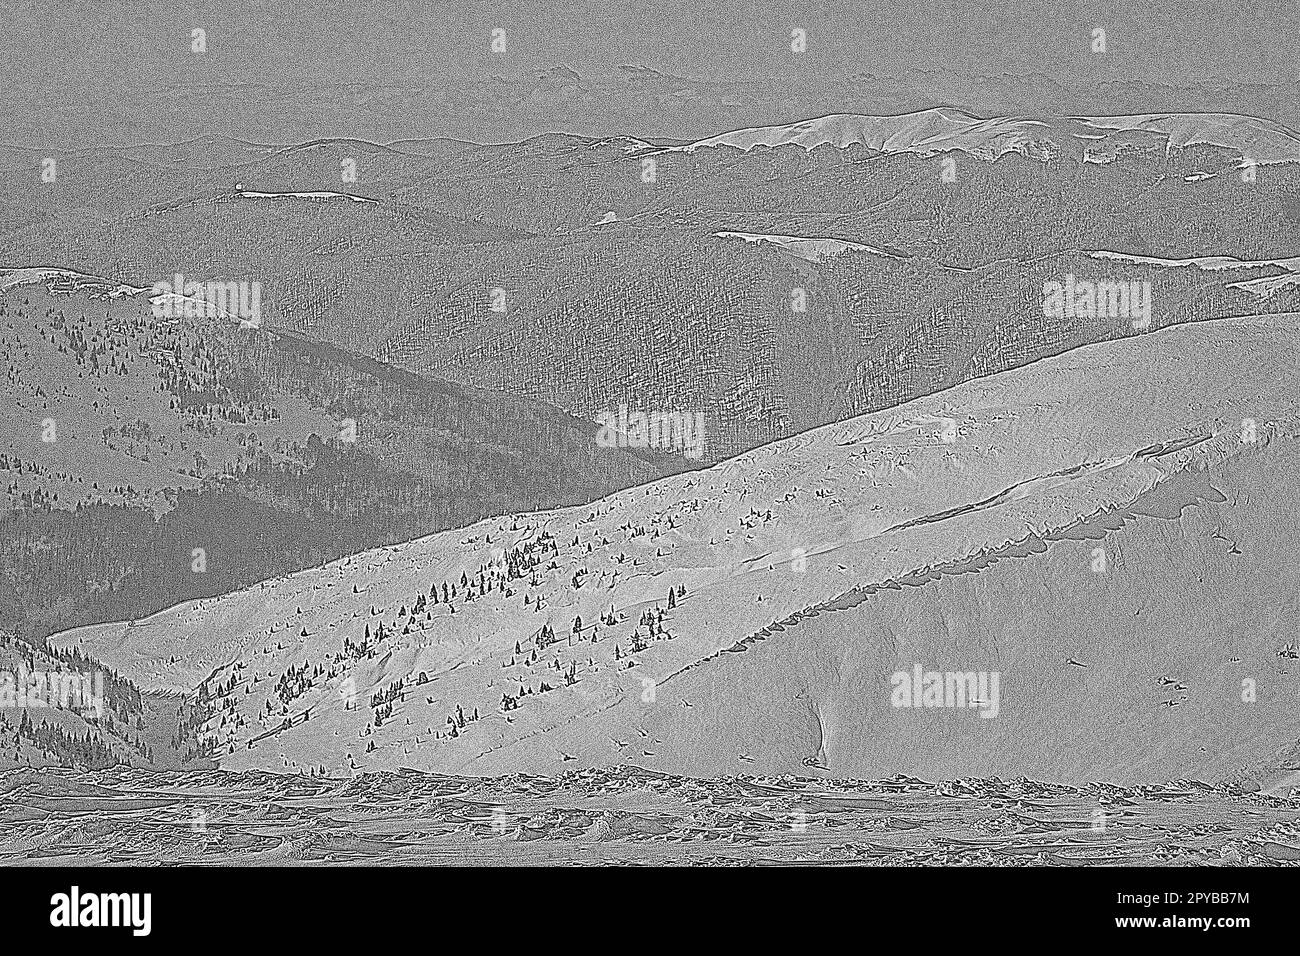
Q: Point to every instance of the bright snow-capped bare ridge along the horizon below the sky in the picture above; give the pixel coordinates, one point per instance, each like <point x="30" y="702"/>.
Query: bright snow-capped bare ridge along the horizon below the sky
<point x="1097" y="140"/>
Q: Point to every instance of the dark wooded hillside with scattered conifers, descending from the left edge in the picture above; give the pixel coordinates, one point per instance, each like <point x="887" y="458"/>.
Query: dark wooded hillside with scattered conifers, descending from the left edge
<point x="151" y="461"/>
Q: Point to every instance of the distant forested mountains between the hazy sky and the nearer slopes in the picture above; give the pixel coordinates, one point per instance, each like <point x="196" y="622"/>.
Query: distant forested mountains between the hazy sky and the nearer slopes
<point x="597" y="274"/>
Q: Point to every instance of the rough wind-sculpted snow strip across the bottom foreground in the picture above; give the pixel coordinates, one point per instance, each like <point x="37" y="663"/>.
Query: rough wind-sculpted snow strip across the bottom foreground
<point x="632" y="816"/>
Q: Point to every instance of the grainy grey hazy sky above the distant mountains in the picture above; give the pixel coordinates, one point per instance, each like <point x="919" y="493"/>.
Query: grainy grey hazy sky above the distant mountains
<point x="81" y="73"/>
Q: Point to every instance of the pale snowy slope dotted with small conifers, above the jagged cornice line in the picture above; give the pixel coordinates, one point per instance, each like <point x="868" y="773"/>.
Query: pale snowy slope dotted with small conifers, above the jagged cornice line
<point x="375" y="663"/>
